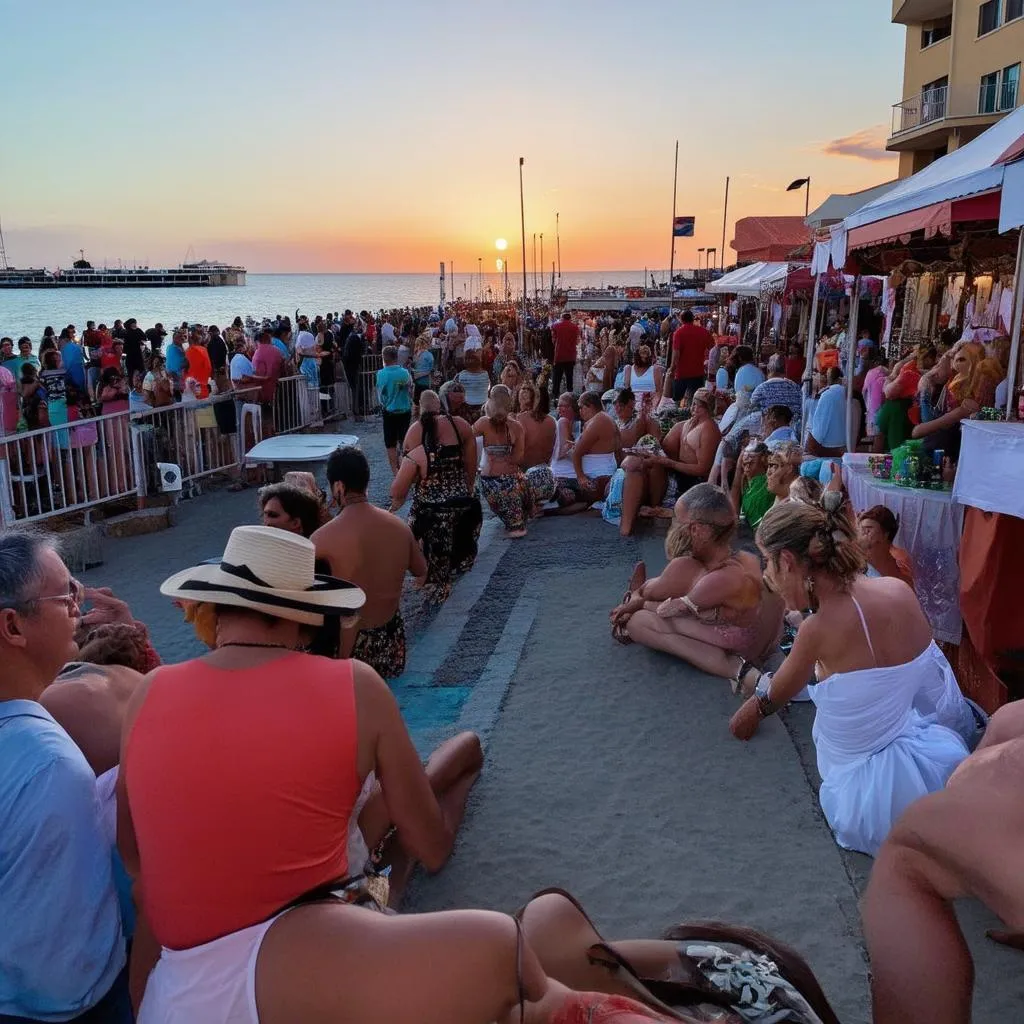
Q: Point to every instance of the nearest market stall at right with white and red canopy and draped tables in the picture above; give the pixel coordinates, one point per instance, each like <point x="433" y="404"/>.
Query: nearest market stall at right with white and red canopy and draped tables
<point x="951" y="240"/>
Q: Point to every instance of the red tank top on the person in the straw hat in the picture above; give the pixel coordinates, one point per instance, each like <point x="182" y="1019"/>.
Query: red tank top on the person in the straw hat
<point x="241" y="785"/>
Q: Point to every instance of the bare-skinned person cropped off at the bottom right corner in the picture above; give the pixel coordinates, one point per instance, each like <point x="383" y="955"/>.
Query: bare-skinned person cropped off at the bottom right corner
<point x="964" y="841"/>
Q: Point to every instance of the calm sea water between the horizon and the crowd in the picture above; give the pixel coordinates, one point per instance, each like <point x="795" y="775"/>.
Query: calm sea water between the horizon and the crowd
<point x="28" y="312"/>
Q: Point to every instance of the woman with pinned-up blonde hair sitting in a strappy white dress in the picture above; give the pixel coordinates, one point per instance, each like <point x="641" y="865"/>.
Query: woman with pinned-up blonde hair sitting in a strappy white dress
<point x="891" y="722"/>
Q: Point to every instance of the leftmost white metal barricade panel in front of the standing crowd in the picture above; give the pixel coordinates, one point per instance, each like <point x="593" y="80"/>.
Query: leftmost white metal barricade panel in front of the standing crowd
<point x="68" y="468"/>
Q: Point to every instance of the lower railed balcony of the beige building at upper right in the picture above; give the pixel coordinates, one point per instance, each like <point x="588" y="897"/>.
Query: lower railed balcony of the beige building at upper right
<point x="924" y="121"/>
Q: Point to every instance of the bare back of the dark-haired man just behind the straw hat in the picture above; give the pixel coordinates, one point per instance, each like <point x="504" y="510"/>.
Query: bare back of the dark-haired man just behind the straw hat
<point x="373" y="549"/>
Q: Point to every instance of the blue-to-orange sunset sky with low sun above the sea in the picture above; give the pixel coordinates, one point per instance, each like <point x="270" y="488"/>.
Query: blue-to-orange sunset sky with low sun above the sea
<point x="386" y="137"/>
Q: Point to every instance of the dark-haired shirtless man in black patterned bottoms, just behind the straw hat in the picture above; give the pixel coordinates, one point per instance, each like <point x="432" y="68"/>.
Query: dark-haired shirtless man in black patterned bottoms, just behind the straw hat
<point x="373" y="549"/>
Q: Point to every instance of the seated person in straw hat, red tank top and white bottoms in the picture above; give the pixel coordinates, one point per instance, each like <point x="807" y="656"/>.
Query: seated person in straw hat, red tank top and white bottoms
<point x="241" y="777"/>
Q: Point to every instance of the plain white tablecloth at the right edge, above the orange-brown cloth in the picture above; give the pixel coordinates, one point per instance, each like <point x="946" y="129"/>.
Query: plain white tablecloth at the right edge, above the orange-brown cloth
<point x="991" y="472"/>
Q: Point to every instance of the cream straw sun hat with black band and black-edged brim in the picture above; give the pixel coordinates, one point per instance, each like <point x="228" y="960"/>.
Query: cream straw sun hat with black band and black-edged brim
<point x="269" y="571"/>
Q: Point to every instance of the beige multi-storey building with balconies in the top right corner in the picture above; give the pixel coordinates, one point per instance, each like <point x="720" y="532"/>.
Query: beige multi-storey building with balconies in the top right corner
<point x="962" y="72"/>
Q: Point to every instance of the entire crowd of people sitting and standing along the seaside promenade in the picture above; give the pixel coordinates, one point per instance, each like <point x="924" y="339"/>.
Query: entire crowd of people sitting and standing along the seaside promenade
<point x="245" y="883"/>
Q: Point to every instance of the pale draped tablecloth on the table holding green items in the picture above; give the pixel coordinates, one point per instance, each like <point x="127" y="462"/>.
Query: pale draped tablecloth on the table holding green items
<point x="930" y="529"/>
